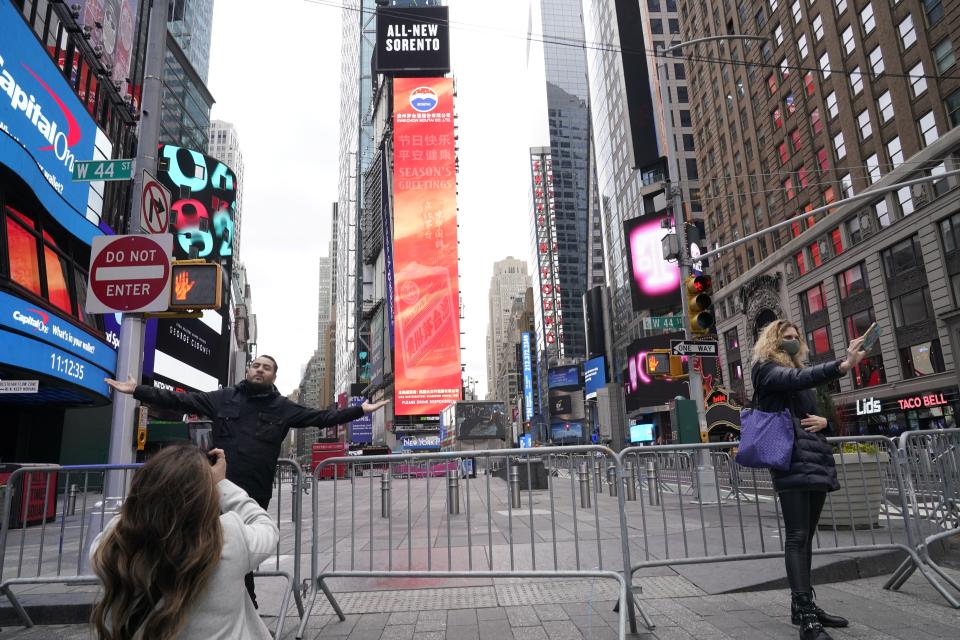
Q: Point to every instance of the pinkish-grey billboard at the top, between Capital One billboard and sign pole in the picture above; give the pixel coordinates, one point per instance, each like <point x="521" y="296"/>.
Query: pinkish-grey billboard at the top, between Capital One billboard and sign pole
<point x="111" y="24"/>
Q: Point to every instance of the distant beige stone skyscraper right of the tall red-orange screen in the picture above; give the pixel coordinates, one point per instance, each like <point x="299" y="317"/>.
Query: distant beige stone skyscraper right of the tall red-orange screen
<point x="509" y="282"/>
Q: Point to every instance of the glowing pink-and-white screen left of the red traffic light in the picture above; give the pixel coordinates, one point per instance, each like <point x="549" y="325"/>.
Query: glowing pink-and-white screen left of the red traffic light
<point x="654" y="282"/>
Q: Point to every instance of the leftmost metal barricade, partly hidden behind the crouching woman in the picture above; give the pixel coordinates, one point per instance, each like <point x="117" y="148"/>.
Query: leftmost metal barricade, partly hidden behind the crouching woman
<point x="52" y="514"/>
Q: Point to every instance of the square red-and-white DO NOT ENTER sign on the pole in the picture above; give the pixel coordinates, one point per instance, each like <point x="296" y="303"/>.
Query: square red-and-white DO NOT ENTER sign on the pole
<point x="129" y="274"/>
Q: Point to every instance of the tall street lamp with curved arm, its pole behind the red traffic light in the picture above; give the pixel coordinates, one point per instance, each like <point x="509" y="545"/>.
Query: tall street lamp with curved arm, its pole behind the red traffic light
<point x="706" y="480"/>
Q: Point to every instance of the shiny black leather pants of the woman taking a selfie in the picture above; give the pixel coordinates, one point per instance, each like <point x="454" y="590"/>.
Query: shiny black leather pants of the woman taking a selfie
<point x="801" y="512"/>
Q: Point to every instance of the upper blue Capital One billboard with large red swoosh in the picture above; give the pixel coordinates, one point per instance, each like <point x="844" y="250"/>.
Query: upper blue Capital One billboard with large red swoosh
<point x="44" y="128"/>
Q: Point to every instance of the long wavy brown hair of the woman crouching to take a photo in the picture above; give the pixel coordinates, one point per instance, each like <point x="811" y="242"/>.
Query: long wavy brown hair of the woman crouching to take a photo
<point x="160" y="555"/>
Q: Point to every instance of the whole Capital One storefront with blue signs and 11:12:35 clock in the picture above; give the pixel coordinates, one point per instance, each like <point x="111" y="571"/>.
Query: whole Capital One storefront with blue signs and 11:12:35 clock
<point x="53" y="356"/>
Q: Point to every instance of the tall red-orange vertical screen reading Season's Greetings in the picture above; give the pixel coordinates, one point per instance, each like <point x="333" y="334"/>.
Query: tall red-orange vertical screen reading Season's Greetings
<point x="426" y="304"/>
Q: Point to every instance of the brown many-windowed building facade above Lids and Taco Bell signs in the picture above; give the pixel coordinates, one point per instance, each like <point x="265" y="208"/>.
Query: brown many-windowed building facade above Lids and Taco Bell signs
<point x="844" y="98"/>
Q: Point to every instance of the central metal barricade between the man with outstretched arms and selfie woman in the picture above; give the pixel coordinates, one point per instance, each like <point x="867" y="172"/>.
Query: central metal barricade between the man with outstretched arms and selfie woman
<point x="550" y="535"/>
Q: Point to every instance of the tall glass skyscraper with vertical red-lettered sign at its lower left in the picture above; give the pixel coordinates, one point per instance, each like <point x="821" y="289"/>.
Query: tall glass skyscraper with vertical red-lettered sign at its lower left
<point x="560" y="178"/>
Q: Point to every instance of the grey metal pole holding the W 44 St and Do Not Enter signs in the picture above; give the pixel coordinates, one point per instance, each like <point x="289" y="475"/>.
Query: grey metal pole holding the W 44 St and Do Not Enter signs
<point x="130" y="351"/>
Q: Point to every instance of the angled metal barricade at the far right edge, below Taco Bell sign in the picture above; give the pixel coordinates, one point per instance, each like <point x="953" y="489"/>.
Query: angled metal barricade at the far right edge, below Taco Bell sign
<point x="931" y="499"/>
